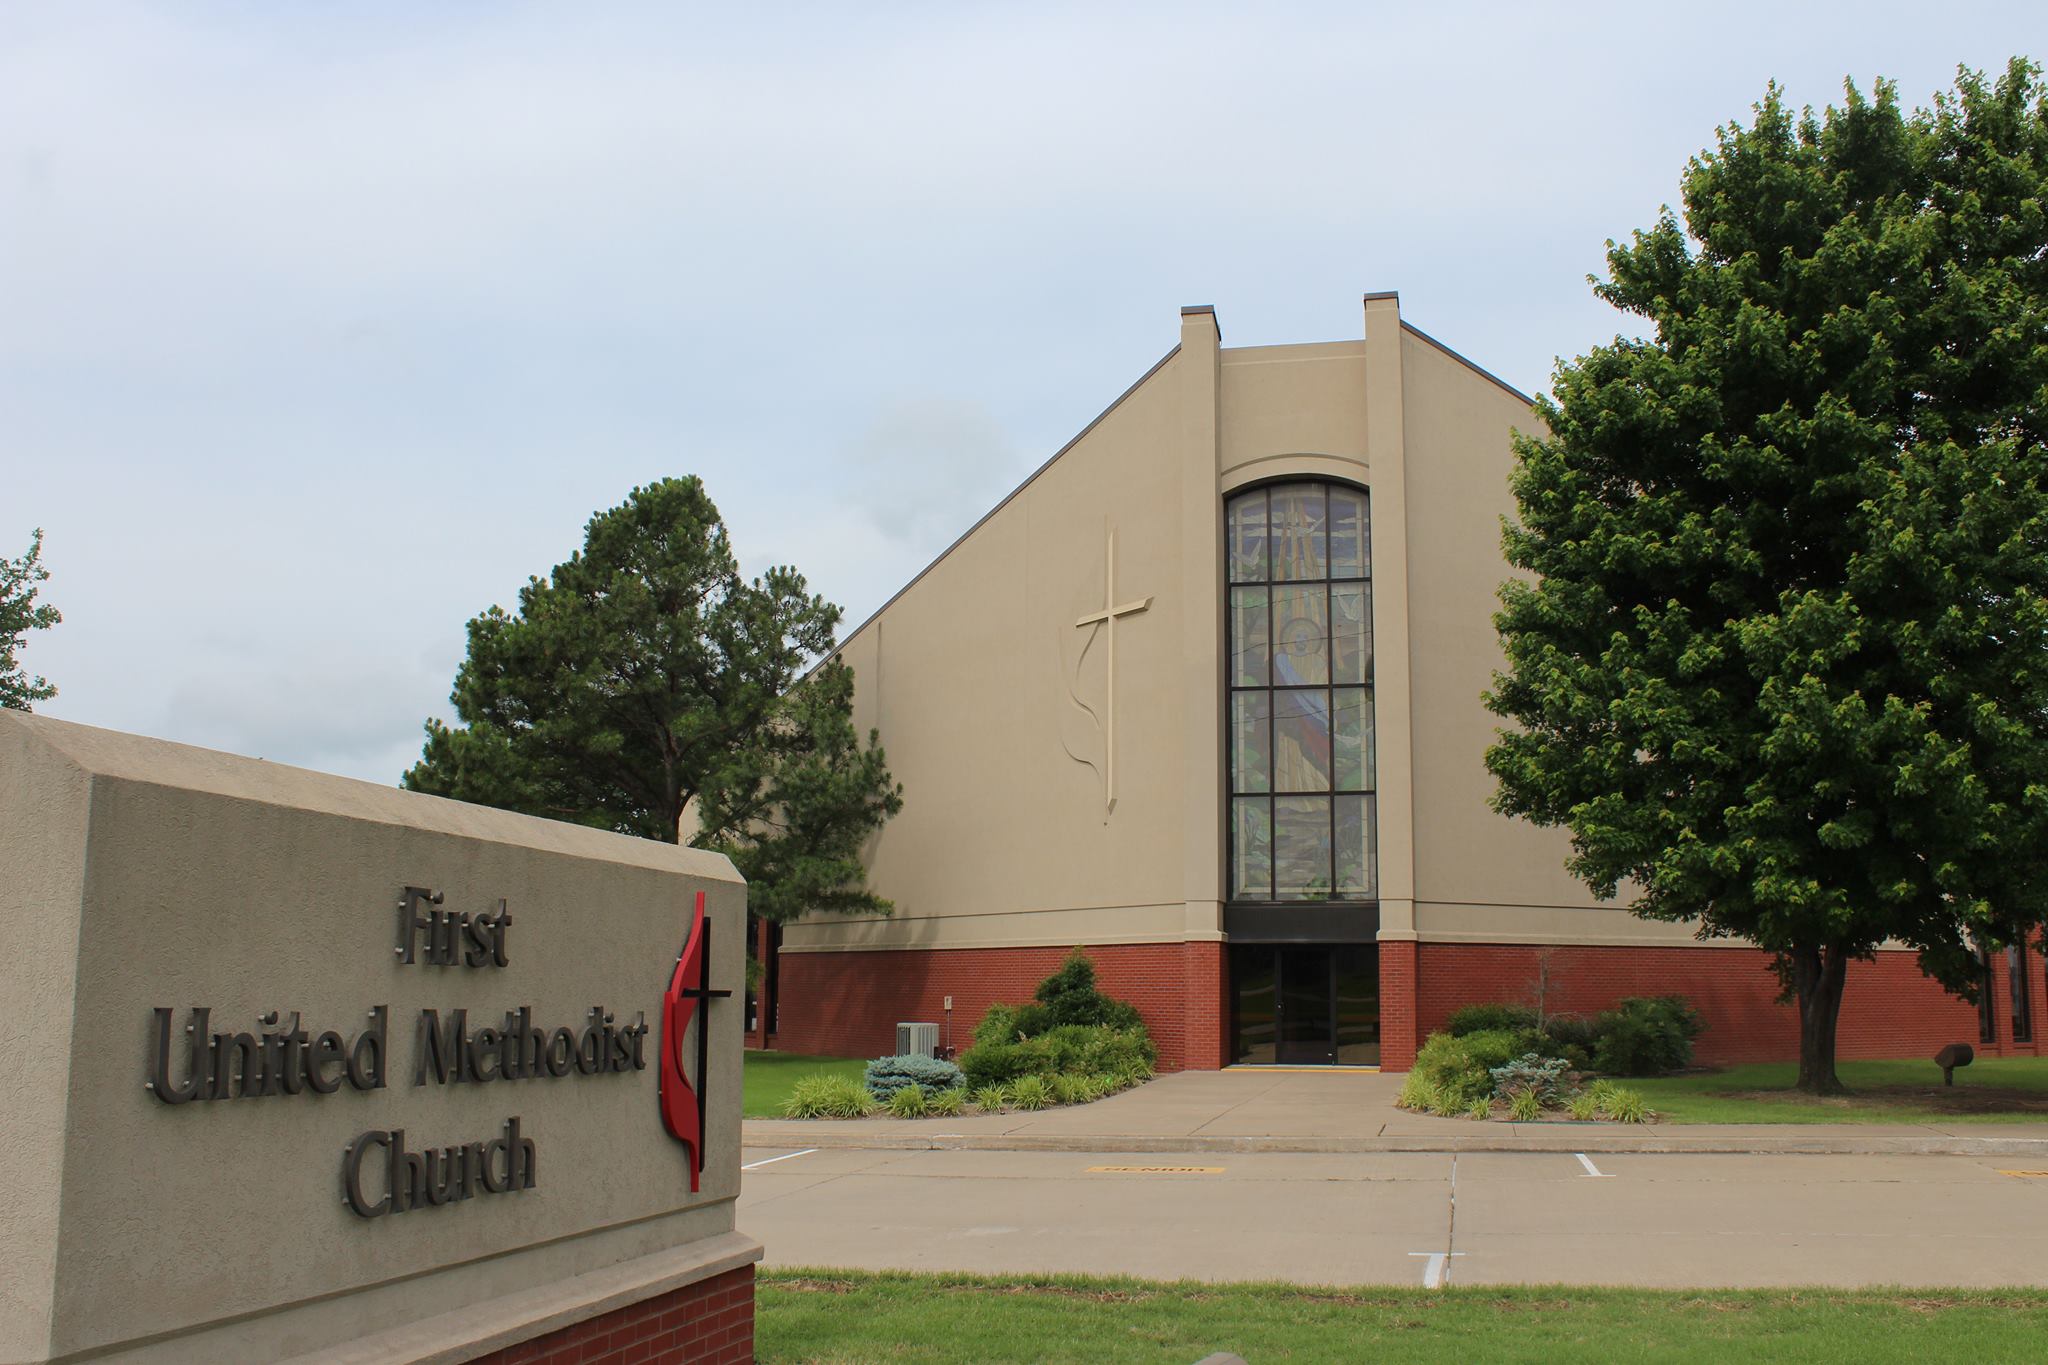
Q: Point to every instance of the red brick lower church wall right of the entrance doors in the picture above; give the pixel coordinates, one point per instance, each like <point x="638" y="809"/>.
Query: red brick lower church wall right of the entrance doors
<point x="1887" y="1008"/>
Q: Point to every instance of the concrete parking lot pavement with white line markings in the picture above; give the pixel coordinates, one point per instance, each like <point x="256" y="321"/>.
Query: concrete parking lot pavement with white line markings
<point x="1670" y="1221"/>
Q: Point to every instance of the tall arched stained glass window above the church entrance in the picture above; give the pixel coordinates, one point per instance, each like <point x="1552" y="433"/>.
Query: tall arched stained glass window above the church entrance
<point x="1302" y="695"/>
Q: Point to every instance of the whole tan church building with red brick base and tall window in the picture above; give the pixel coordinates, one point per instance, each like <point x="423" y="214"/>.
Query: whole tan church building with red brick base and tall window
<point x="1203" y="697"/>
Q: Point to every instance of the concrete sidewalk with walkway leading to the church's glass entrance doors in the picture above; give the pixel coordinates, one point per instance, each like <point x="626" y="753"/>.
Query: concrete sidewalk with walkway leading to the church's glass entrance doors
<point x="1355" y="1112"/>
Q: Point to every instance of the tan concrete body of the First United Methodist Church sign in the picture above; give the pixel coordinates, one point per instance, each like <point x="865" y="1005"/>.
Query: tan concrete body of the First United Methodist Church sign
<point x="140" y="877"/>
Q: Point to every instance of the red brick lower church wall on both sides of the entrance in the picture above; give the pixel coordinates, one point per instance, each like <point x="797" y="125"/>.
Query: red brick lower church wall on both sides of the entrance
<point x="851" y="1004"/>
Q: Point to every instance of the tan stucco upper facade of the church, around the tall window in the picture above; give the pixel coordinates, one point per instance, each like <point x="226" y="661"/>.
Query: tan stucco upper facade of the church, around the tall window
<point x="996" y="709"/>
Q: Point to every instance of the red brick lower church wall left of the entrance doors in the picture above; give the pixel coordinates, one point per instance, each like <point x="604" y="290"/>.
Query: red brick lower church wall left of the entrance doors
<point x="851" y="1004"/>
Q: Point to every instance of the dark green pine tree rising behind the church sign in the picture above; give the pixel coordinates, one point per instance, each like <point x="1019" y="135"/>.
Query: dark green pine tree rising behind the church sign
<point x="644" y="687"/>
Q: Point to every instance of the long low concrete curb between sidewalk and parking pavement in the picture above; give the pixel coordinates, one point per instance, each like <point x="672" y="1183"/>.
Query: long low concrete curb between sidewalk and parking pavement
<point x="820" y="1135"/>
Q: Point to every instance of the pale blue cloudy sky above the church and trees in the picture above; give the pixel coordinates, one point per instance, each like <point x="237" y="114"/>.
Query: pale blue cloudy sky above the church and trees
<point x="325" y="326"/>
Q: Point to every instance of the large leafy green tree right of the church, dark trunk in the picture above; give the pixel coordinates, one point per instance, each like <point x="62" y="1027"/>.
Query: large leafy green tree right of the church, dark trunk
<point x="1783" y="656"/>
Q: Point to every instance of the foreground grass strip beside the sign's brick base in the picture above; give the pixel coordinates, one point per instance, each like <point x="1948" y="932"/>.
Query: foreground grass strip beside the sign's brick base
<point x="851" y="1319"/>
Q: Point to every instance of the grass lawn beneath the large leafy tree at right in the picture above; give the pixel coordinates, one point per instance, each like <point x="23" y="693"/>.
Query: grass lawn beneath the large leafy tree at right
<point x="1998" y="1090"/>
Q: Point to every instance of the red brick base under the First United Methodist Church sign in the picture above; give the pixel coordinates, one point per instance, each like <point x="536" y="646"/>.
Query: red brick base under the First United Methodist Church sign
<point x="710" y="1323"/>
